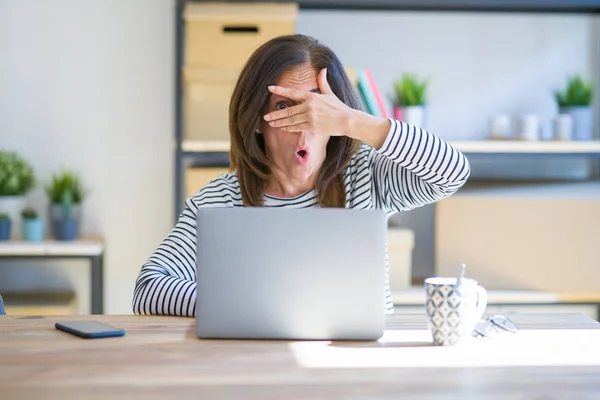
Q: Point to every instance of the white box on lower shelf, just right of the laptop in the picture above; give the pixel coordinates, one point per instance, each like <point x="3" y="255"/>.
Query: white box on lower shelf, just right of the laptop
<point x="400" y="242"/>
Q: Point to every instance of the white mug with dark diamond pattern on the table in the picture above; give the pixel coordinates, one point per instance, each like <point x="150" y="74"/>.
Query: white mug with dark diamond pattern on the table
<point x="453" y="310"/>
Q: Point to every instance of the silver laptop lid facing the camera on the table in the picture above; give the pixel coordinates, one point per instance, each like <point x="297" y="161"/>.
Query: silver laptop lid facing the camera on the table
<point x="298" y="274"/>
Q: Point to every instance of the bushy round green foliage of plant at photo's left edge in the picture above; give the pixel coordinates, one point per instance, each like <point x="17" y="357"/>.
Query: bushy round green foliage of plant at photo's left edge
<point x="16" y="175"/>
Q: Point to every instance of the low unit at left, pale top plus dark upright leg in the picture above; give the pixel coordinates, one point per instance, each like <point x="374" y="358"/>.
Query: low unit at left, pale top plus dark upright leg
<point x="91" y="249"/>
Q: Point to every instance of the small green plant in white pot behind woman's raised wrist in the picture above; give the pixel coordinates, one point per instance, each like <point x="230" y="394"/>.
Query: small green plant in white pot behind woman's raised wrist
<point x="410" y="100"/>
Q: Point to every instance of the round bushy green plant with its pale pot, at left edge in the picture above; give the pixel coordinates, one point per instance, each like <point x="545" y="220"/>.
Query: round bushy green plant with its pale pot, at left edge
<point x="16" y="179"/>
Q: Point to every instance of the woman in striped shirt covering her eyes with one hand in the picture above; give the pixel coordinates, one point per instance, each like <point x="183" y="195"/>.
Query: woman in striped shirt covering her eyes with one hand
<point x="299" y="139"/>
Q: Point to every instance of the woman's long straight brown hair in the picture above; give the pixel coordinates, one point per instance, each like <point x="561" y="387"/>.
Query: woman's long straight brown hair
<point x="250" y="98"/>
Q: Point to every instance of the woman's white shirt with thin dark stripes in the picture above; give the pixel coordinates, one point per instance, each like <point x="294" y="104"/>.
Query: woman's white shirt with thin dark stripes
<point x="411" y="169"/>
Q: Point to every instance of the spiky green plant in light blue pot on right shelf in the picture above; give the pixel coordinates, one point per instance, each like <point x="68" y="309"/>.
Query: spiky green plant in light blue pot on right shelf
<point x="576" y="101"/>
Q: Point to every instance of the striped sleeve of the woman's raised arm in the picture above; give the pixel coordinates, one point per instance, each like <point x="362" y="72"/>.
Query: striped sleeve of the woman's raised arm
<point x="414" y="167"/>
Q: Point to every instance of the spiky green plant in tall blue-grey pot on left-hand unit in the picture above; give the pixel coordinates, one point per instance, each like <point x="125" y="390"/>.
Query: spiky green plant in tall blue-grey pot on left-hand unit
<point x="66" y="195"/>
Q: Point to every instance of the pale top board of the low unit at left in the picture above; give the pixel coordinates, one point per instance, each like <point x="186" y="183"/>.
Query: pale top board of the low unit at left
<point x="83" y="247"/>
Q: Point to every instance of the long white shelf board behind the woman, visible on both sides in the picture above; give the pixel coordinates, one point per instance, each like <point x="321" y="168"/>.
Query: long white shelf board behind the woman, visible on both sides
<point x="483" y="147"/>
